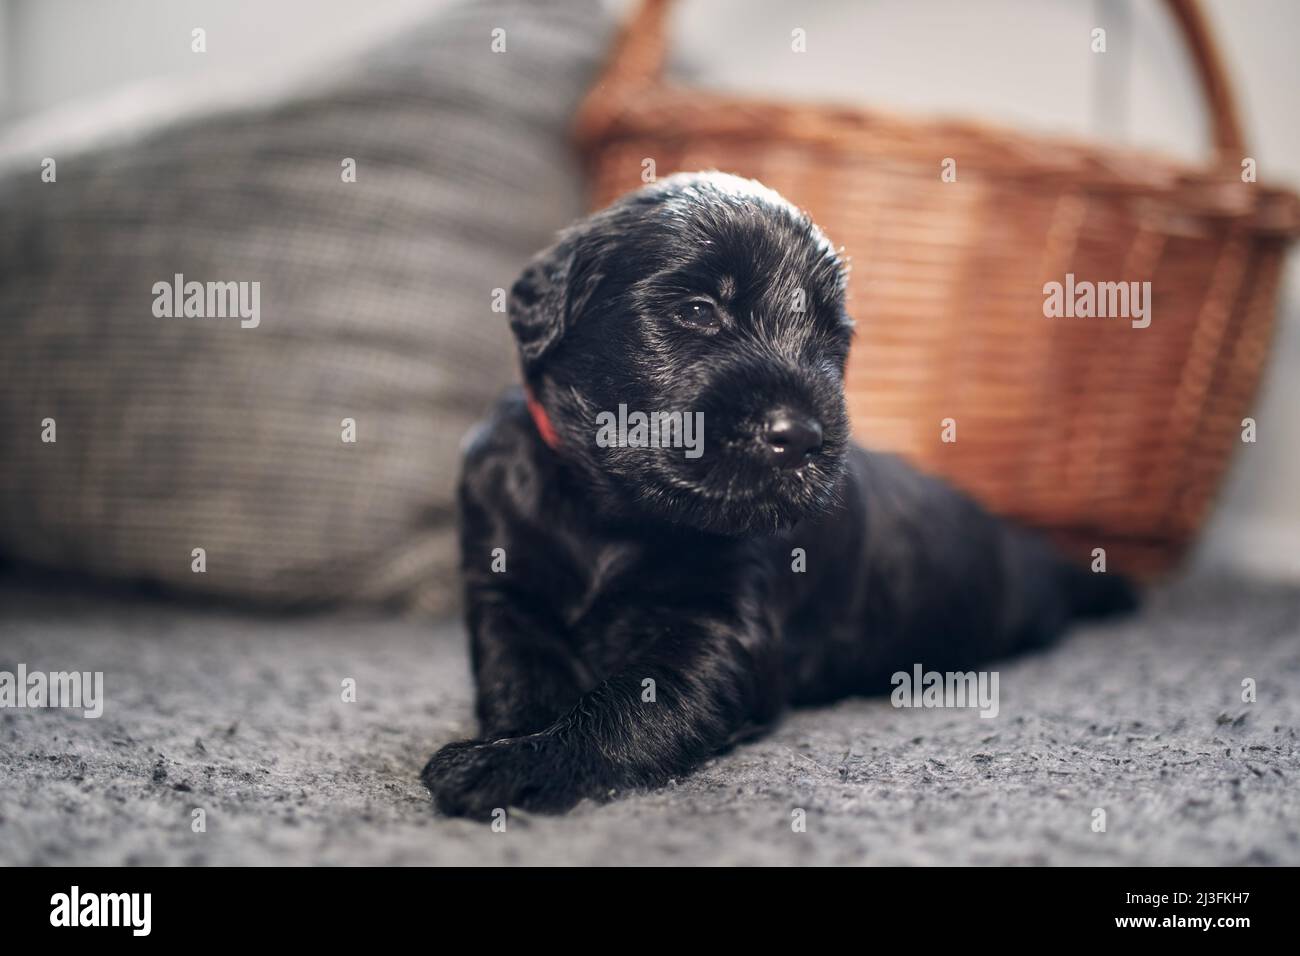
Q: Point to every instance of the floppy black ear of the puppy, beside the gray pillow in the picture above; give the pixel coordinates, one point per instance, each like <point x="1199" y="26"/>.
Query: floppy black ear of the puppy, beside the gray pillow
<point x="551" y="296"/>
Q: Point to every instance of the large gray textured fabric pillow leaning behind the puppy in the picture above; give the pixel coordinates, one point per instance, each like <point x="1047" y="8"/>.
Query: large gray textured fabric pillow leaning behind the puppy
<point x="375" y="304"/>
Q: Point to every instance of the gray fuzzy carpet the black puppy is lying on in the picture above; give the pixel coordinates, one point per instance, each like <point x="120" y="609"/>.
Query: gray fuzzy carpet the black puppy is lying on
<point x="242" y="717"/>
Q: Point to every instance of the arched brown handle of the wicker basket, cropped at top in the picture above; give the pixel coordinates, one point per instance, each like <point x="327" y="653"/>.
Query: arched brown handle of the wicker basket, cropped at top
<point x="642" y="51"/>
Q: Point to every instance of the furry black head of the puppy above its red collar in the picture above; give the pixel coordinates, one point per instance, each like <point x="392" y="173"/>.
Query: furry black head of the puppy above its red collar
<point x="705" y="297"/>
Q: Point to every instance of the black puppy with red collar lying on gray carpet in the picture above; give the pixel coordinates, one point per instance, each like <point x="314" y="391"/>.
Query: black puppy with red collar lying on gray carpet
<point x="634" y="611"/>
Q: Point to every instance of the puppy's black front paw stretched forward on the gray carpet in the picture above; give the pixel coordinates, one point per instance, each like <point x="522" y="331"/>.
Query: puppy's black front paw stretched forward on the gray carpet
<point x="535" y="773"/>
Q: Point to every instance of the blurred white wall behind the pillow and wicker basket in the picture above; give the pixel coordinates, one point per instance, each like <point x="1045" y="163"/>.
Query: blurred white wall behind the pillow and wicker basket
<point x="1020" y="62"/>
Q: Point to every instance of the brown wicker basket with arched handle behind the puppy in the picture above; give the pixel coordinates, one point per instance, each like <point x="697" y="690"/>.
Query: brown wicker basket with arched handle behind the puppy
<point x="1102" y="434"/>
